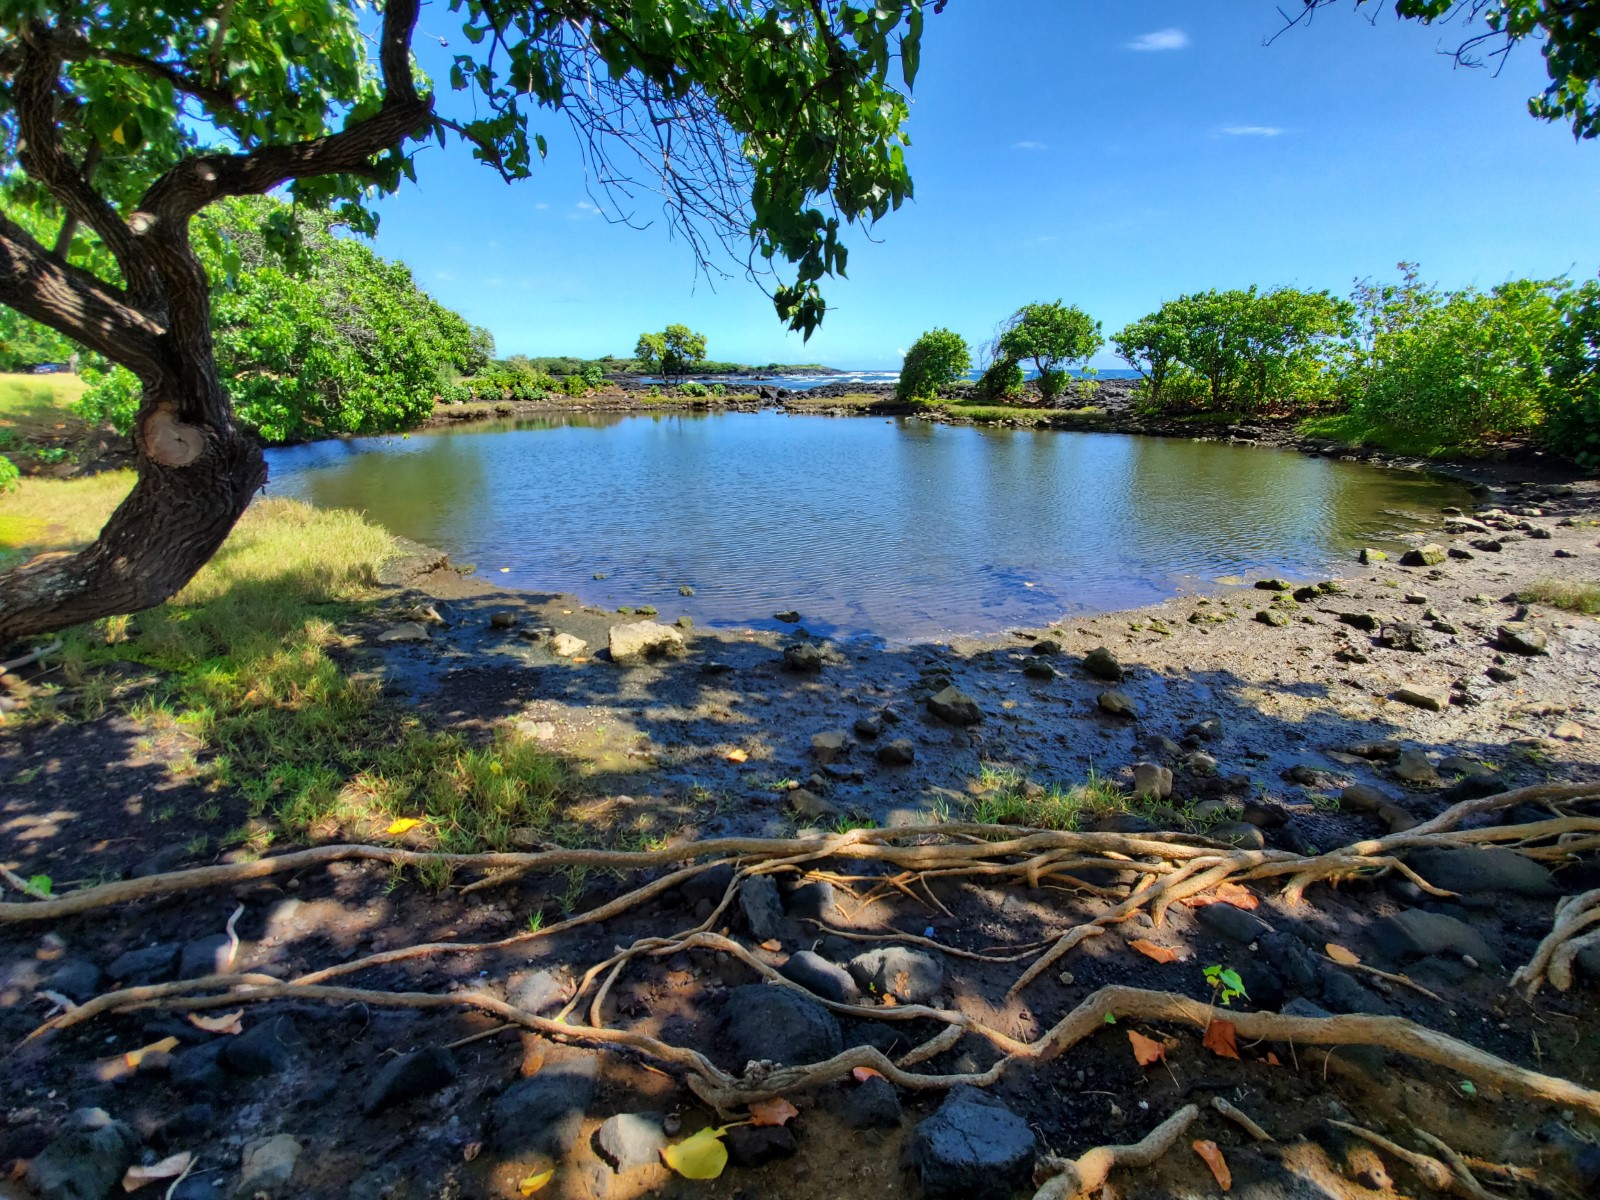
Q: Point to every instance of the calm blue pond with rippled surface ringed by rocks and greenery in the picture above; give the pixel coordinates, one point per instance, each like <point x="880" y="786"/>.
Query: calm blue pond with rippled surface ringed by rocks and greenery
<point x="892" y="527"/>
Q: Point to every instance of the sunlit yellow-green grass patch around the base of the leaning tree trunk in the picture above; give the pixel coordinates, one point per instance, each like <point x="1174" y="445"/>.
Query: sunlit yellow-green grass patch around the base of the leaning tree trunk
<point x="249" y="666"/>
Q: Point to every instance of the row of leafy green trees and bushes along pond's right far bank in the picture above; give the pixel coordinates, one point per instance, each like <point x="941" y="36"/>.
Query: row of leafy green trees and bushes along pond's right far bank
<point x="1466" y="369"/>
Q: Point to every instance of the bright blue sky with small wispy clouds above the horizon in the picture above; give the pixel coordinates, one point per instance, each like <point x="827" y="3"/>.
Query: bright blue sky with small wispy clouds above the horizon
<point x="1111" y="156"/>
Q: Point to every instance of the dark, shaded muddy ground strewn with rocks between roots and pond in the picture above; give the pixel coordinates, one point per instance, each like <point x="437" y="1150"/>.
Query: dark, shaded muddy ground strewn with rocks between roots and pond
<point x="1257" y="722"/>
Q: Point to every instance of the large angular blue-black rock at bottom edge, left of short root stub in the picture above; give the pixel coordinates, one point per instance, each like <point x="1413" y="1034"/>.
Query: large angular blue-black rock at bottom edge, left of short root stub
<point x="972" y="1148"/>
